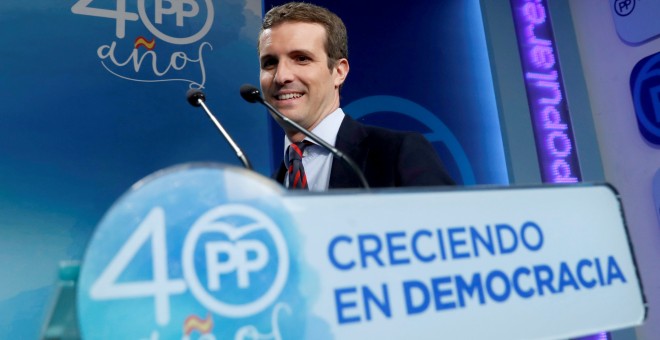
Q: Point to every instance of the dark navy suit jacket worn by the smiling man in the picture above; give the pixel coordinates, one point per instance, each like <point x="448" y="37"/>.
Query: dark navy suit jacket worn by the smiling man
<point x="387" y="158"/>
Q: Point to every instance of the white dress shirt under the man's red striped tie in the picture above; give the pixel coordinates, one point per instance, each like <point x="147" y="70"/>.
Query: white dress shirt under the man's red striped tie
<point x="317" y="161"/>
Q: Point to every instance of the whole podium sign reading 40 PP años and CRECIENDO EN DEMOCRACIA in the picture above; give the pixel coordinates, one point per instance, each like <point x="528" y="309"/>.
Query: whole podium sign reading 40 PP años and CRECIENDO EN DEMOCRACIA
<point x="214" y="252"/>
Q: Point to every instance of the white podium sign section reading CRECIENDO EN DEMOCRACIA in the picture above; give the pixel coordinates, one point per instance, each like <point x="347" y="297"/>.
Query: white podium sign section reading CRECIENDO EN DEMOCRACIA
<point x="526" y="263"/>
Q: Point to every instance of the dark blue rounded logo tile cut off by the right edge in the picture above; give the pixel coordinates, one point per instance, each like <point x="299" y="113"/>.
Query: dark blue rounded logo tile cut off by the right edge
<point x="645" y="88"/>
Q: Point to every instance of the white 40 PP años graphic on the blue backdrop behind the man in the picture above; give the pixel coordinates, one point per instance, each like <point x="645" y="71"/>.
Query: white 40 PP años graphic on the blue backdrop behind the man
<point x="139" y="59"/>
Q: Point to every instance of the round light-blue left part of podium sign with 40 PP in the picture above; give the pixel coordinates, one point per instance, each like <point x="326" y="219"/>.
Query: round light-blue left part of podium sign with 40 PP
<point x="194" y="250"/>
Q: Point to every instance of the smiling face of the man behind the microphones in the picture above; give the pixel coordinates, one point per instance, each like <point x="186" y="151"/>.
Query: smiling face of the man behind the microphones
<point x="295" y="78"/>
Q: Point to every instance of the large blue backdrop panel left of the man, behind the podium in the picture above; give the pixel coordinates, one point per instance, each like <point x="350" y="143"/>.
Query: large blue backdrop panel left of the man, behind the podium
<point x="76" y="132"/>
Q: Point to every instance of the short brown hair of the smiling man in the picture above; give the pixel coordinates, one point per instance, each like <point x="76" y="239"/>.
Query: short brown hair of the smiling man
<point x="336" y="41"/>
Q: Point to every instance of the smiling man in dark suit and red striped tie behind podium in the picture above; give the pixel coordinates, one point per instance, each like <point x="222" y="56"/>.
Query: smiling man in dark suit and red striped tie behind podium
<point x="303" y="55"/>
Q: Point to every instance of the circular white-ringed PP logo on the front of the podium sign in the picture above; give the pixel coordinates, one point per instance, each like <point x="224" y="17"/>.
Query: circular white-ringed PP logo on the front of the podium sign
<point x="235" y="260"/>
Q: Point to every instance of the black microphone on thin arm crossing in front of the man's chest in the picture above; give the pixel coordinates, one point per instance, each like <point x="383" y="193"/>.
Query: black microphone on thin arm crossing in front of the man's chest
<point x="252" y="95"/>
